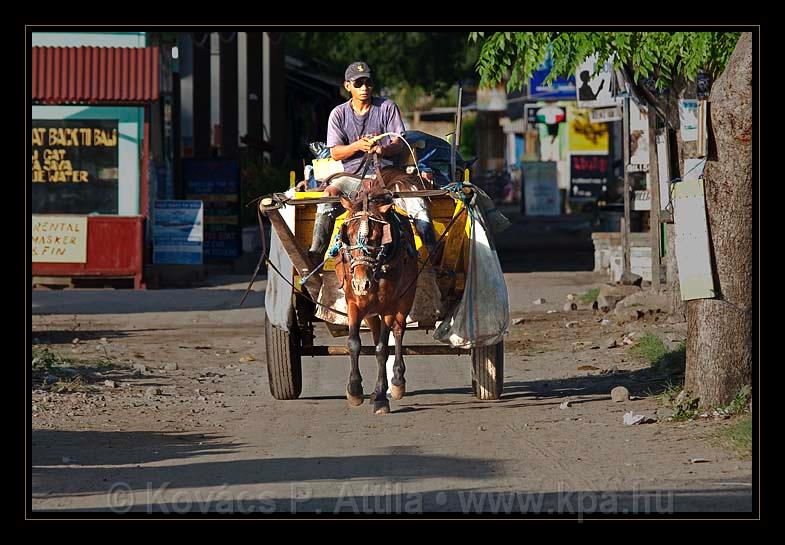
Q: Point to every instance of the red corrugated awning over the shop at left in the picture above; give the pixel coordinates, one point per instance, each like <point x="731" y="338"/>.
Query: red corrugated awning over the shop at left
<point x="63" y="75"/>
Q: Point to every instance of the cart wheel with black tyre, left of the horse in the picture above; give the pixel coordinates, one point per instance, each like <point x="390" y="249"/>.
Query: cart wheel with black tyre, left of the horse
<point x="284" y="367"/>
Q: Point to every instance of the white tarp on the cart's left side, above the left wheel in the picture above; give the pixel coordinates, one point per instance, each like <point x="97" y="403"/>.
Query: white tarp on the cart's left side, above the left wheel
<point x="278" y="295"/>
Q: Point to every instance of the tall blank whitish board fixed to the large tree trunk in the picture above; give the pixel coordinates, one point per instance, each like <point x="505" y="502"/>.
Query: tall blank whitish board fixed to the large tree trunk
<point x="692" y="241"/>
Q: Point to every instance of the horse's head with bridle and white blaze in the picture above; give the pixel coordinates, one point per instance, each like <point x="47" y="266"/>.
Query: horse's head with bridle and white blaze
<point x="363" y="236"/>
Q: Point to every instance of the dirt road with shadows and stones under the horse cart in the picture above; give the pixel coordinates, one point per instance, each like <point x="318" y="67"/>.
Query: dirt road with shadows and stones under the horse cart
<point x="209" y="436"/>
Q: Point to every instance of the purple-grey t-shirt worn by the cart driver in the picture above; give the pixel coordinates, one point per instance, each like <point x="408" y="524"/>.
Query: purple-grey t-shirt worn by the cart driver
<point x="345" y="127"/>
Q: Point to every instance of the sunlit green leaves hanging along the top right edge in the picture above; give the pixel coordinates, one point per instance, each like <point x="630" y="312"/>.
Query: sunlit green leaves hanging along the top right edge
<point x="657" y="55"/>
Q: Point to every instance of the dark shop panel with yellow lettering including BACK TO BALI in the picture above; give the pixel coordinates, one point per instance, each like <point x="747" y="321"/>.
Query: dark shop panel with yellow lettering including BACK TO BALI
<point x="74" y="166"/>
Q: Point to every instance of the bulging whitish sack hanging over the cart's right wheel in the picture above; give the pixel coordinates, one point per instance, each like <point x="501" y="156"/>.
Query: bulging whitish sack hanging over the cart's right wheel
<point x="482" y="316"/>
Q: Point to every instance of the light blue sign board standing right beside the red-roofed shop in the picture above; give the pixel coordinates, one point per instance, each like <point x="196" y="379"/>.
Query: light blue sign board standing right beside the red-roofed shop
<point x="178" y="232"/>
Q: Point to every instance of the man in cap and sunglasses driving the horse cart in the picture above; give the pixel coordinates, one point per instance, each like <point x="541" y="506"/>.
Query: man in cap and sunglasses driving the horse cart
<point x="350" y="129"/>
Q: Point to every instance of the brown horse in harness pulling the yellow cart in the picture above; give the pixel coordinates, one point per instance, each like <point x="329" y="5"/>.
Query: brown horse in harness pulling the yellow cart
<point x="377" y="267"/>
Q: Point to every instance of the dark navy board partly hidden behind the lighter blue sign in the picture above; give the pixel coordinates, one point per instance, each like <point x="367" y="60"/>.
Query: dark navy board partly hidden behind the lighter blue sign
<point x="216" y="182"/>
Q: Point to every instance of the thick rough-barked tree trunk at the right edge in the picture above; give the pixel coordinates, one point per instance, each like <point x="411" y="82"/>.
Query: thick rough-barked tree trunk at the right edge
<point x="719" y="331"/>
